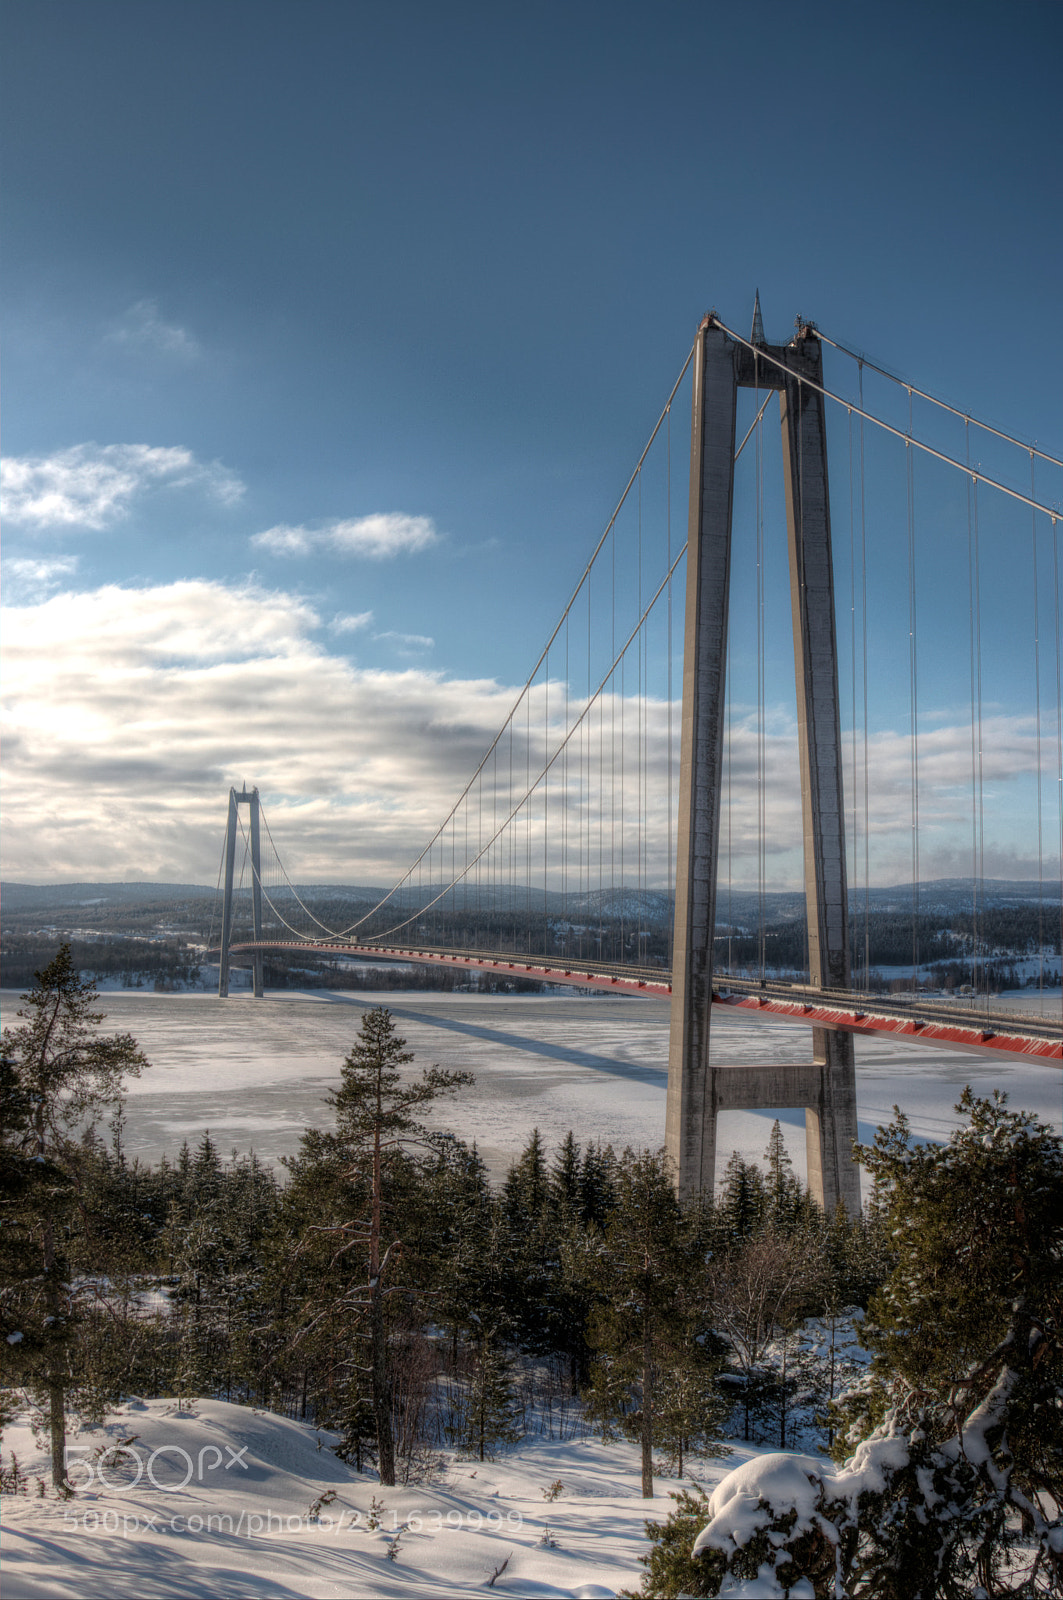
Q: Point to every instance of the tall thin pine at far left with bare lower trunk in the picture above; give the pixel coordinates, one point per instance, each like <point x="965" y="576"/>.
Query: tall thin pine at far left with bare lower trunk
<point x="71" y="1074"/>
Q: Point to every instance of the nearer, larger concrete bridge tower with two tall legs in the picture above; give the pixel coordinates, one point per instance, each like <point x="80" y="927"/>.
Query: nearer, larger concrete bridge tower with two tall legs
<point x="825" y="1087"/>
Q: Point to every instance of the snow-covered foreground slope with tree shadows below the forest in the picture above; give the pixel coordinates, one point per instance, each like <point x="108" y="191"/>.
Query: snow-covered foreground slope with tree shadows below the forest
<point x="217" y="1502"/>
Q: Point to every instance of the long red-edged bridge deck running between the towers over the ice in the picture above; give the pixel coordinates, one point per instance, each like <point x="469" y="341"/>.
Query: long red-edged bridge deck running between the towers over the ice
<point x="909" y="1018"/>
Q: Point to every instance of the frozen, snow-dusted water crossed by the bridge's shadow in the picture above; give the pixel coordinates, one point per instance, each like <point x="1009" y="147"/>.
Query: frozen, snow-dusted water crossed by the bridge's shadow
<point x="259" y="1073"/>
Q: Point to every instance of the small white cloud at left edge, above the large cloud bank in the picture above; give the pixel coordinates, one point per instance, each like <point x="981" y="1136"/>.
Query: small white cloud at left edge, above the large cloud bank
<point x="95" y="486"/>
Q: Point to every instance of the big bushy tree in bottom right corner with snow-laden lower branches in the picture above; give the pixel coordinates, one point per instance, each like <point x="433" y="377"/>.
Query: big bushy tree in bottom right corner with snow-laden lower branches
<point x="955" y="1479"/>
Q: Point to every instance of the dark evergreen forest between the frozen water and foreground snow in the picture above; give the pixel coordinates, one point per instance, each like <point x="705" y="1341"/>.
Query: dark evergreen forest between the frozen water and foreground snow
<point x="385" y="1290"/>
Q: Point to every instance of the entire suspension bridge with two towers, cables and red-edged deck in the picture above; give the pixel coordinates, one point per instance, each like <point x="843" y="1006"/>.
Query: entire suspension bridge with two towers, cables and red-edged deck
<point x="670" y="759"/>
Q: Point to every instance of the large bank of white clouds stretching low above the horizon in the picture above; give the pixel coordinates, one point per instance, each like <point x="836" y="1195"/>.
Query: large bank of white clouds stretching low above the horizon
<point x="130" y="711"/>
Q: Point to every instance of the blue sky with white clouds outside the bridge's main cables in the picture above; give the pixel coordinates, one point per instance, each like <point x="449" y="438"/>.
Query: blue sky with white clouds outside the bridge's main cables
<point x="334" y="332"/>
